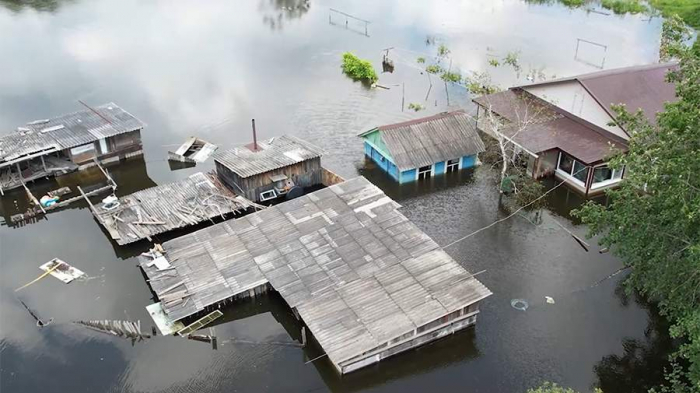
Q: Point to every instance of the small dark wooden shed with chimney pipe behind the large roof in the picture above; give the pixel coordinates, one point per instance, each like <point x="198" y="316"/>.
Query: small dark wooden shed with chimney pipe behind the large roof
<point x="280" y="167"/>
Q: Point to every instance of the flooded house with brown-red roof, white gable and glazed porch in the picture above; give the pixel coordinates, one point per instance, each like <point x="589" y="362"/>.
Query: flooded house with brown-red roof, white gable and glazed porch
<point x="566" y="126"/>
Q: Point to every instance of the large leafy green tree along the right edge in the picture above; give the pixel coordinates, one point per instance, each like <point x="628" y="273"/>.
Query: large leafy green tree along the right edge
<point x="652" y="220"/>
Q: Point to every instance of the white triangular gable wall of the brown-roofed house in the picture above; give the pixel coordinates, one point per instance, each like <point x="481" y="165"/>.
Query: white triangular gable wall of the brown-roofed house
<point x="573" y="98"/>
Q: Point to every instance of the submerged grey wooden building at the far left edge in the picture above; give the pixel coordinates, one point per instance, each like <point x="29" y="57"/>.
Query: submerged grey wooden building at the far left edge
<point x="63" y="144"/>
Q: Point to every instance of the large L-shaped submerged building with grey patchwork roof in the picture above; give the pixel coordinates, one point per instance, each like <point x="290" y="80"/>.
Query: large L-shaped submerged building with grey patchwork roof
<point x="366" y="281"/>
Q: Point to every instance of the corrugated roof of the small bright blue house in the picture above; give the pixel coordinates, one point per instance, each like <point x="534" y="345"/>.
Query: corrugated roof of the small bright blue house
<point x="428" y="140"/>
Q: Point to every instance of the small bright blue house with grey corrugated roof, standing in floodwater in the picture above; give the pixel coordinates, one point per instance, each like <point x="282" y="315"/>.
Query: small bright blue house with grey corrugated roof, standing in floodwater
<point x="425" y="147"/>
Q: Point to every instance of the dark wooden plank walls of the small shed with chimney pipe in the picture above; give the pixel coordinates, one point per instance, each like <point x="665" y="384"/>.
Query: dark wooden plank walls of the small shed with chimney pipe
<point x="304" y="174"/>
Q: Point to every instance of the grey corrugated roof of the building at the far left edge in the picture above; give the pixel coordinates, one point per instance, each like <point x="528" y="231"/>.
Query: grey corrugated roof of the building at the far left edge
<point x="67" y="131"/>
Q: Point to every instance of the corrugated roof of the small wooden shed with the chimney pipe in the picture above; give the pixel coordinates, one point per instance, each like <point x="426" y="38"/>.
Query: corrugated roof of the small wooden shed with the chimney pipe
<point x="272" y="154"/>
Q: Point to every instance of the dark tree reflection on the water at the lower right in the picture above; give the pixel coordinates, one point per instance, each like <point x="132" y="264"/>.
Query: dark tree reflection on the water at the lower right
<point x="642" y="364"/>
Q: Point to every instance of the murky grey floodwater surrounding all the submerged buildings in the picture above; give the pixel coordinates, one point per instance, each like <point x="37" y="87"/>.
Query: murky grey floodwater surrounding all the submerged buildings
<point x="206" y="68"/>
